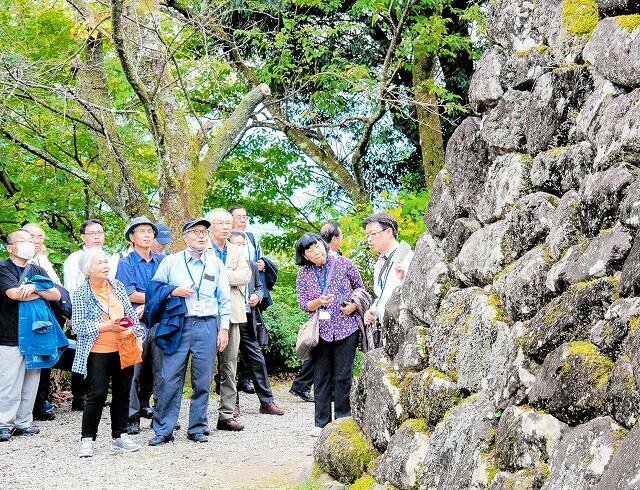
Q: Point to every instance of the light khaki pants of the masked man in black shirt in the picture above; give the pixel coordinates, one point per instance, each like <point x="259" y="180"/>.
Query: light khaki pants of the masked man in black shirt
<point x="18" y="389"/>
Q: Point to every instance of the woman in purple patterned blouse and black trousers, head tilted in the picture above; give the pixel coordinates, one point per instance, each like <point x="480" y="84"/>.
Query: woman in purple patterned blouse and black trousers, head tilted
<point x="325" y="283"/>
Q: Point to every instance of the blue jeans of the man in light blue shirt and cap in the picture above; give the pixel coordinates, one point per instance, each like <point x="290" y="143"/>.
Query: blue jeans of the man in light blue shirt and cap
<point x="199" y="338"/>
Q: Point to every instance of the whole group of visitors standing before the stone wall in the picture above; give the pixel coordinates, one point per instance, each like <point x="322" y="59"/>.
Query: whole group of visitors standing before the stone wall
<point x="139" y="318"/>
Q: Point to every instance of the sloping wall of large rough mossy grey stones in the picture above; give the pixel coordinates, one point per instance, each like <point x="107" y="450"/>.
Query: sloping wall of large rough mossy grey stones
<point x="512" y="356"/>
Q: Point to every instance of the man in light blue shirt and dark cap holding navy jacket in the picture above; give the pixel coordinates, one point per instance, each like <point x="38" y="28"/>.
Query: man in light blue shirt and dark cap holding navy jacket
<point x="199" y="280"/>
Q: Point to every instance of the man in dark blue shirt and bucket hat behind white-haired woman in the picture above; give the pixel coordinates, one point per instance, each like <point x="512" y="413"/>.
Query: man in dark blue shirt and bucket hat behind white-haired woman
<point x="135" y="271"/>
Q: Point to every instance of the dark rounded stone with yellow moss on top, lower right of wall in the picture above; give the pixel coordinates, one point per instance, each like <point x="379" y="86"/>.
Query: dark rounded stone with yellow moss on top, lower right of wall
<point x="572" y="383"/>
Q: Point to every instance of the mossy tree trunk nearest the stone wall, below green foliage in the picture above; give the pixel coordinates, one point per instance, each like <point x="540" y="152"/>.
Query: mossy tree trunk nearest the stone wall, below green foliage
<point x="429" y="128"/>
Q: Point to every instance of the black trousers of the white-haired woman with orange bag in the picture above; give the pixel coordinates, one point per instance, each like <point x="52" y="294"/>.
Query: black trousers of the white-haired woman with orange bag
<point x="102" y="369"/>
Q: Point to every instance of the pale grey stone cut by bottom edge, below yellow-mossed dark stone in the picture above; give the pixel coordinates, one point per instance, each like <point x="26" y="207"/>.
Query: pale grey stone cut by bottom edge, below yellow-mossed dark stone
<point x="584" y="454"/>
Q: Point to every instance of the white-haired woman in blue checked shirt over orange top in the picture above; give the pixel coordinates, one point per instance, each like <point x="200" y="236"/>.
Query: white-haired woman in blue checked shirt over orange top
<point x="102" y="313"/>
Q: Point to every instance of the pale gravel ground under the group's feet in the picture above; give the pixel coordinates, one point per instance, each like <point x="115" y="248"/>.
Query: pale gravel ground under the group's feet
<point x="272" y="452"/>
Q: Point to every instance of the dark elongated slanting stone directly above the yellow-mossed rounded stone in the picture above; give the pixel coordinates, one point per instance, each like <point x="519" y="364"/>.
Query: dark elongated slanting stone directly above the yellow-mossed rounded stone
<point x="568" y="317"/>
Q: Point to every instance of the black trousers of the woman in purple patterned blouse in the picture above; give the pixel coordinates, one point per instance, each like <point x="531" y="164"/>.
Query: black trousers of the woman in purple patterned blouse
<point x="333" y="367"/>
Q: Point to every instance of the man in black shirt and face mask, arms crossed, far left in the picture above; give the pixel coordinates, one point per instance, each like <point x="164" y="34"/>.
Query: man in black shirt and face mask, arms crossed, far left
<point x="18" y="386"/>
